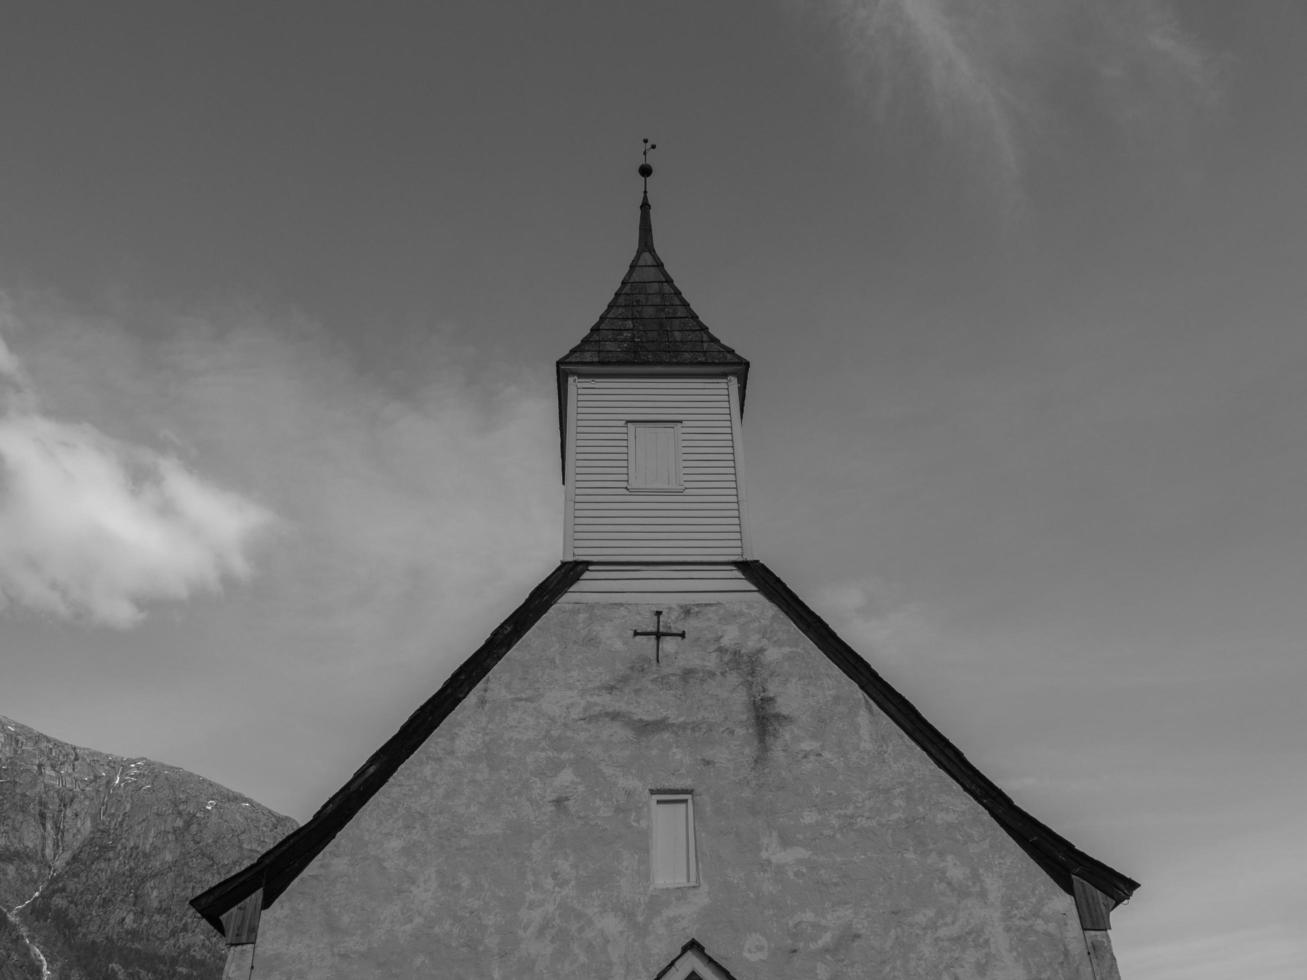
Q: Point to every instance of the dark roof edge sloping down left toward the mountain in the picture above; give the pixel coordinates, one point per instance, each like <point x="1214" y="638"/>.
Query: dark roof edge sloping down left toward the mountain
<point x="278" y="867"/>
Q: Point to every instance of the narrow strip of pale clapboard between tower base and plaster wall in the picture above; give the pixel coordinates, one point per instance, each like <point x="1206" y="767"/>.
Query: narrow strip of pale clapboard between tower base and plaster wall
<point x="666" y="583"/>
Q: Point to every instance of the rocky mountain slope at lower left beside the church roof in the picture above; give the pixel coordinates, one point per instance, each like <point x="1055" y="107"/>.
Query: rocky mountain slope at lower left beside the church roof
<point x="100" y="855"/>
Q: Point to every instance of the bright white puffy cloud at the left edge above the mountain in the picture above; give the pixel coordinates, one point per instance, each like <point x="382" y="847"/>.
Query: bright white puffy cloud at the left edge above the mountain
<point x="92" y="527"/>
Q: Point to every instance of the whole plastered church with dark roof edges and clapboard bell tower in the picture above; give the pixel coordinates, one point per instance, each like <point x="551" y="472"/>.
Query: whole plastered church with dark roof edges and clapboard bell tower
<point x="663" y="765"/>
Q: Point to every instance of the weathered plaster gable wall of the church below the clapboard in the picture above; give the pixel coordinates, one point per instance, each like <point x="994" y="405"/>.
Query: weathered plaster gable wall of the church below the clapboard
<point x="516" y="842"/>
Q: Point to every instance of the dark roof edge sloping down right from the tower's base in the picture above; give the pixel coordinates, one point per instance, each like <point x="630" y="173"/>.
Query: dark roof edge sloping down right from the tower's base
<point x="1053" y="853"/>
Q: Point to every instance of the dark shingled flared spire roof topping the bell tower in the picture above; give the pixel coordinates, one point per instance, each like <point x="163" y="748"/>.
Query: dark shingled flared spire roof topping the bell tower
<point x="649" y="322"/>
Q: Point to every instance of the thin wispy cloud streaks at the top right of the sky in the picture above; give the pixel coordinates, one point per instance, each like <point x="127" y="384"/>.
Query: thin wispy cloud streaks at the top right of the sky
<point x="999" y="79"/>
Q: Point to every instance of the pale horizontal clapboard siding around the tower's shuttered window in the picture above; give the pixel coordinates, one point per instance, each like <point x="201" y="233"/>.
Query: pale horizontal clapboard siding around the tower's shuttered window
<point x="697" y="522"/>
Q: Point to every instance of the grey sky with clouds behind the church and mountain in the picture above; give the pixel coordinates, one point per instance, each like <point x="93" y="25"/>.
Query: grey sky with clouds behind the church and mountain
<point x="1023" y="289"/>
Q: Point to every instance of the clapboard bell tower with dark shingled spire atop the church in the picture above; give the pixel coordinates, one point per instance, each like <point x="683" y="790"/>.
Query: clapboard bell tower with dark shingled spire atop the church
<point x="650" y="406"/>
